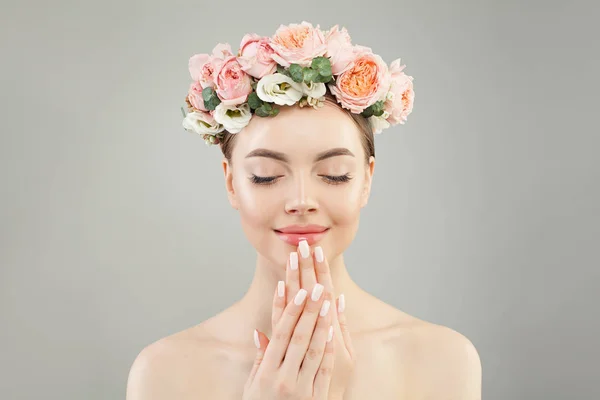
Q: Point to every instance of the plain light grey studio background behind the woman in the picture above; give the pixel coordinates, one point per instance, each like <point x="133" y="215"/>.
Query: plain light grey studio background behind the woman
<point x="116" y="231"/>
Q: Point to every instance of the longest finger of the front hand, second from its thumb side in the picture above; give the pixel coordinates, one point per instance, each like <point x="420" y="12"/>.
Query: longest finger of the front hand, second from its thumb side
<point x="303" y="332"/>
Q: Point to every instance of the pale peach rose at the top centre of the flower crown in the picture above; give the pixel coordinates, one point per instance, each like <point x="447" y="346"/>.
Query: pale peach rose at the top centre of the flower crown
<point x="298" y="44"/>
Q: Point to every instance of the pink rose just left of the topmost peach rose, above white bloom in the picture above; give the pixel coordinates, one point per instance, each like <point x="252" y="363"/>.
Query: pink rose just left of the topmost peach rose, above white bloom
<point x="256" y="56"/>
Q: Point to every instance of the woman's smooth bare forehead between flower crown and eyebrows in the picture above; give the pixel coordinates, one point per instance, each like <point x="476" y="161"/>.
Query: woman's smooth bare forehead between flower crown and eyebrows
<point x="300" y="132"/>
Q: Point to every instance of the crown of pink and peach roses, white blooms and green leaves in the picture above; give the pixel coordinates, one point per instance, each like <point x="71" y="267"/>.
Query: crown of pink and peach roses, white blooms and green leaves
<point x="298" y="64"/>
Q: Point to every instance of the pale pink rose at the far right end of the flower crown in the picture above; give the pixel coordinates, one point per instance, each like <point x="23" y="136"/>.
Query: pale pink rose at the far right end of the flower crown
<point x="400" y="105"/>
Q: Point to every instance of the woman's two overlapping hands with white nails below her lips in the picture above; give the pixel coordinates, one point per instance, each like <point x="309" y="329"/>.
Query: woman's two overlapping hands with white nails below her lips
<point x="309" y="336"/>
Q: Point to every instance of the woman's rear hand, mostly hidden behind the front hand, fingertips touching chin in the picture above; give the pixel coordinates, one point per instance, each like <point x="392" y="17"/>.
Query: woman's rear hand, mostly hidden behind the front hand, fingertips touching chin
<point x="304" y="273"/>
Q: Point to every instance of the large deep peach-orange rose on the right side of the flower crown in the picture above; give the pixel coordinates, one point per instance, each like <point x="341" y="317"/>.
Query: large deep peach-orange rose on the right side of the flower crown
<point x="366" y="82"/>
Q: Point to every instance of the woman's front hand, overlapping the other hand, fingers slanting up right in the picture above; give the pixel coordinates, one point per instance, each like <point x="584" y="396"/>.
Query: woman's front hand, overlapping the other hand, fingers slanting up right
<point x="297" y="363"/>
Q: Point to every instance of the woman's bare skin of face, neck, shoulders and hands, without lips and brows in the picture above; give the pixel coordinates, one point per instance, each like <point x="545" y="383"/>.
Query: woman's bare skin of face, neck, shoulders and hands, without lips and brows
<point x="376" y="350"/>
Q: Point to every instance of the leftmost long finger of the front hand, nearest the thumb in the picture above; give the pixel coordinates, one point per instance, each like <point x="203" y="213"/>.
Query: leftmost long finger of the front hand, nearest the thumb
<point x="283" y="330"/>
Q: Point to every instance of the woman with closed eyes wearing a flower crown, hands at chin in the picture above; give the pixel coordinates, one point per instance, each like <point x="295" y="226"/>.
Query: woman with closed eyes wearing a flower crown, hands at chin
<point x="294" y="116"/>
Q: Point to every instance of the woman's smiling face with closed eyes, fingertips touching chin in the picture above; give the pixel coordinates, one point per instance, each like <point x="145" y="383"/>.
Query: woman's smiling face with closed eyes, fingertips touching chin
<point x="300" y="174"/>
